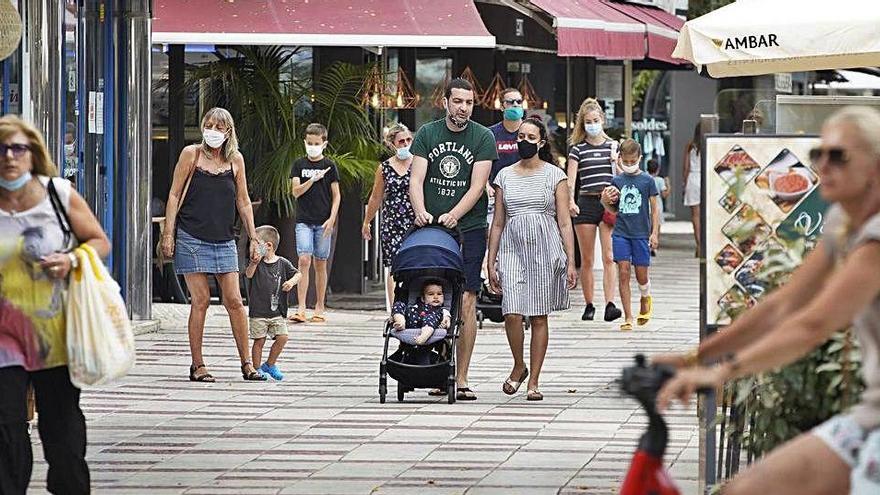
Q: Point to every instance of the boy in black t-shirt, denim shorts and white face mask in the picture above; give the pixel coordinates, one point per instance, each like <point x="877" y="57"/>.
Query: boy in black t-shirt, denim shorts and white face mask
<point x="315" y="184"/>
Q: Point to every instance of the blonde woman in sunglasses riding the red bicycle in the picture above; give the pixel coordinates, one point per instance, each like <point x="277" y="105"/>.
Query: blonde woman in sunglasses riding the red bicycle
<point x="838" y="285"/>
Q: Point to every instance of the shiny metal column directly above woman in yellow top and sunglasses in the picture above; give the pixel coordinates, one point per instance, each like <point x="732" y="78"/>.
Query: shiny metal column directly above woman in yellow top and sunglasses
<point x="44" y="47"/>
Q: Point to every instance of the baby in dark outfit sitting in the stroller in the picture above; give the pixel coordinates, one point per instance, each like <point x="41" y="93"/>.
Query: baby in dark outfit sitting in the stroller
<point x="424" y="321"/>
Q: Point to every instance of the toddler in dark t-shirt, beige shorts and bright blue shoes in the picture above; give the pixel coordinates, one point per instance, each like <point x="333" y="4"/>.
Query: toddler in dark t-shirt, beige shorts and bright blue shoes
<point x="271" y="278"/>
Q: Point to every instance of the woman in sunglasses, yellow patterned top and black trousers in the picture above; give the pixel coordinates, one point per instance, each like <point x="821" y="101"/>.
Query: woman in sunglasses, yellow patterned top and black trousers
<point x="34" y="264"/>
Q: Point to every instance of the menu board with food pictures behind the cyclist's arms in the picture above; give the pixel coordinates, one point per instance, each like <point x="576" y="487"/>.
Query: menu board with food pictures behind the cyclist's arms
<point x="762" y="204"/>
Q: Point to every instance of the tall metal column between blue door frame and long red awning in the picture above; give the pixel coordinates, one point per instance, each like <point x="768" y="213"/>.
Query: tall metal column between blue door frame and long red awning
<point x="135" y="26"/>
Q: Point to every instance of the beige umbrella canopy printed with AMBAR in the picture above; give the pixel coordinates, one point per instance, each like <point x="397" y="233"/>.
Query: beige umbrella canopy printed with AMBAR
<point x="751" y="37"/>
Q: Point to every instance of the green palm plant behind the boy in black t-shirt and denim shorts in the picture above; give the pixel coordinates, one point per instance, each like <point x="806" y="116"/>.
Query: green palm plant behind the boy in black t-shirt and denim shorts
<point x="273" y="100"/>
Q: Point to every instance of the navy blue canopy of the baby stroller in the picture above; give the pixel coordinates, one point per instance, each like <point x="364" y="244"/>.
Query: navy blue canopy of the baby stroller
<point x="426" y="249"/>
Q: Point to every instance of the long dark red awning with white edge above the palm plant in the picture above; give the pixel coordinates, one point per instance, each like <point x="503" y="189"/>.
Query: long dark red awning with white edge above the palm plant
<point x="387" y="23"/>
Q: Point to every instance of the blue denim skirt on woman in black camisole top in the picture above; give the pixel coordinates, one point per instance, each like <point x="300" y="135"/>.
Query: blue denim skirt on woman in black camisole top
<point x="193" y="255"/>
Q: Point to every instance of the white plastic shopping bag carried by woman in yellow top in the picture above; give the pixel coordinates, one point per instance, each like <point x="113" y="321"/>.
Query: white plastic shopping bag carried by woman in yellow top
<point x="100" y="342"/>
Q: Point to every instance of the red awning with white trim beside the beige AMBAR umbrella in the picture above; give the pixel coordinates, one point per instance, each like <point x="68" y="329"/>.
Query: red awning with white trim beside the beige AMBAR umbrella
<point x="612" y="30"/>
